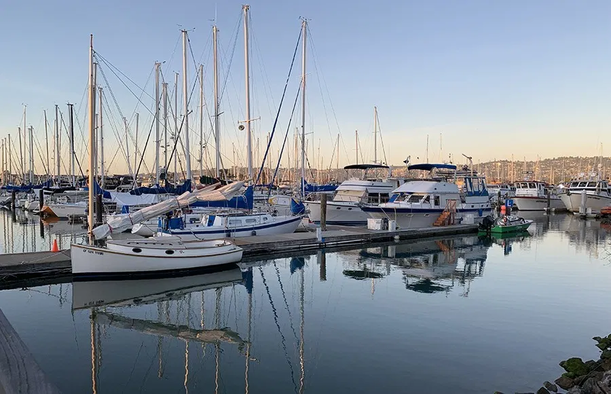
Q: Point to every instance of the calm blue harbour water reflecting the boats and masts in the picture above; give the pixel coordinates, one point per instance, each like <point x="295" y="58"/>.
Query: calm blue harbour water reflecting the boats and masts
<point x="453" y="315"/>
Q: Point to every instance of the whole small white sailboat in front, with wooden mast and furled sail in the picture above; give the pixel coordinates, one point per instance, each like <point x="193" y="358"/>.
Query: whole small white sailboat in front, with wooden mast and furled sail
<point x="150" y="255"/>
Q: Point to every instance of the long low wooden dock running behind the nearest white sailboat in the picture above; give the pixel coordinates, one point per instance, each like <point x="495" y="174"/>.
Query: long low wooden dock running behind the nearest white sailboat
<point x="38" y="268"/>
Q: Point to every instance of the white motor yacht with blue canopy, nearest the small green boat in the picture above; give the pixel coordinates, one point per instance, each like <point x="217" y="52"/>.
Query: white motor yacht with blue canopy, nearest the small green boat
<point x="434" y="200"/>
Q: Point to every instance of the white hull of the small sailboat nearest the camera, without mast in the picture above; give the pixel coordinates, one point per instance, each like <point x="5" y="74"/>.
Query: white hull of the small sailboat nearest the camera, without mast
<point x="154" y="256"/>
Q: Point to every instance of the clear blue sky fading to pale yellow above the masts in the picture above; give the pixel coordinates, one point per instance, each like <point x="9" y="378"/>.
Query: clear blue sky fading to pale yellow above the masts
<point x="494" y="78"/>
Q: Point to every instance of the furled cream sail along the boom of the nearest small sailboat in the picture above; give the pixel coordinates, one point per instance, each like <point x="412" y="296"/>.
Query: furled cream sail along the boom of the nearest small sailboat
<point x="120" y="223"/>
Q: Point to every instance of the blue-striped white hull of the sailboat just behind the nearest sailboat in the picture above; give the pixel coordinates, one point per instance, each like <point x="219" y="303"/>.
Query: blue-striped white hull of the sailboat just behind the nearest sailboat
<point x="281" y="226"/>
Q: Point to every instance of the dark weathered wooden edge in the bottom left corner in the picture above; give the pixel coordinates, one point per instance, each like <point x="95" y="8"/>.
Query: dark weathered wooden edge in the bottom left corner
<point x="19" y="371"/>
